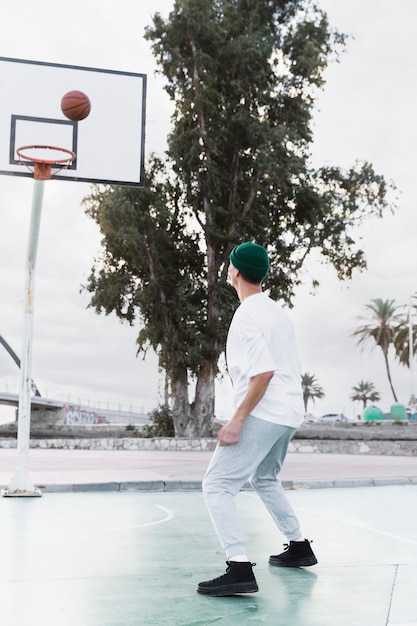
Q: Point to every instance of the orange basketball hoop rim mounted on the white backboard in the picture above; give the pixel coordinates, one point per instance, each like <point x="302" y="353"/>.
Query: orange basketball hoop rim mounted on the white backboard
<point x="41" y="164"/>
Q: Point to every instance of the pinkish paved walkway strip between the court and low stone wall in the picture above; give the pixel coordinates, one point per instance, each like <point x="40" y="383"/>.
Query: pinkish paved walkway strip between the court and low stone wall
<point x="89" y="470"/>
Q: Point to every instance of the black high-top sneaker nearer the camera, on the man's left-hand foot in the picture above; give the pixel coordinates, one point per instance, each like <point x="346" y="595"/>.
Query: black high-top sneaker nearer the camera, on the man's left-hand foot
<point x="239" y="578"/>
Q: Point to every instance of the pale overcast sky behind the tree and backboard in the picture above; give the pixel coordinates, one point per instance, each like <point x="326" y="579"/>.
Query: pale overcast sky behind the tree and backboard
<point x="365" y="112"/>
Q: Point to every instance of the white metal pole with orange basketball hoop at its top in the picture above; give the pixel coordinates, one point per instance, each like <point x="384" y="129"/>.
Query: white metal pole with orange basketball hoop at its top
<point x="21" y="483"/>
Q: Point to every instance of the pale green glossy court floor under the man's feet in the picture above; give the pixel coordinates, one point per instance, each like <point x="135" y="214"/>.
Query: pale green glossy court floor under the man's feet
<point x="124" y="559"/>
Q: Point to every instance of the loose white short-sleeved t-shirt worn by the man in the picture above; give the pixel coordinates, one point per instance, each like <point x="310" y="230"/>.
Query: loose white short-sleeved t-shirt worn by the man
<point x="261" y="339"/>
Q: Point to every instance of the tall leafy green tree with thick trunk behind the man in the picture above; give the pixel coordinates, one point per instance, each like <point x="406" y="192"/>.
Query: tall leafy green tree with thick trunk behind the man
<point x="243" y="76"/>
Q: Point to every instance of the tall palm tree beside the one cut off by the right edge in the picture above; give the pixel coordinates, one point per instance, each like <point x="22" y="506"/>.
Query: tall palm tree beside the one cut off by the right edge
<point x="382" y="326"/>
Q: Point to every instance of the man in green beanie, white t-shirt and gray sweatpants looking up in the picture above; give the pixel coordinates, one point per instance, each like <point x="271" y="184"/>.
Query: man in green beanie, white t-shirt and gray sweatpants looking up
<point x="263" y="365"/>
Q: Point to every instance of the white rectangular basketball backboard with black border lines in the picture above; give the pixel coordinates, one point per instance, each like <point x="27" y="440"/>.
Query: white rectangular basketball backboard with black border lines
<point x="109" y="143"/>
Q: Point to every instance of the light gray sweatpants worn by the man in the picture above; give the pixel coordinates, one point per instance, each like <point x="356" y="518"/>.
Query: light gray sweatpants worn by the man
<point x="257" y="456"/>
